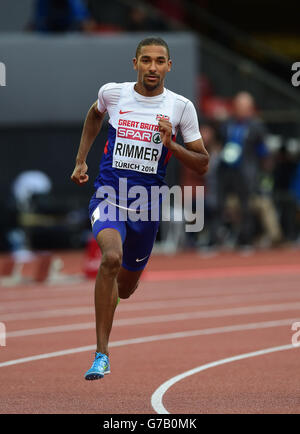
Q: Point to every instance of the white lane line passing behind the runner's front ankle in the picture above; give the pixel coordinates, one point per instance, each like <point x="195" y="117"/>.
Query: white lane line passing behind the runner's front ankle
<point x="154" y="338"/>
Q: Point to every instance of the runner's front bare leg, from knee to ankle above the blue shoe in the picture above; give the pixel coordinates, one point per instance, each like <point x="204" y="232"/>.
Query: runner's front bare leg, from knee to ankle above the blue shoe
<point x="106" y="287"/>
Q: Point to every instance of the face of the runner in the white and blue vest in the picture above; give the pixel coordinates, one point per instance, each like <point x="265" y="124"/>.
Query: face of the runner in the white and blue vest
<point x="152" y="65"/>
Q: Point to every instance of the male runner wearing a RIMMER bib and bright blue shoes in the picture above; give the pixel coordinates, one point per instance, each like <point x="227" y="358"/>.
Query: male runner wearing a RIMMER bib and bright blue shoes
<point x="143" y="118"/>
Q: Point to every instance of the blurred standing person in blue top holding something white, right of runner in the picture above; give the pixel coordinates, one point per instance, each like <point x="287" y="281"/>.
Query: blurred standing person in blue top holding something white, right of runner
<point x="243" y="150"/>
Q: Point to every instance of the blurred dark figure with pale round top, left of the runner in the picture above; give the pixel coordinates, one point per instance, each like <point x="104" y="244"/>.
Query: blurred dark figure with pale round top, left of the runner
<point x="43" y="218"/>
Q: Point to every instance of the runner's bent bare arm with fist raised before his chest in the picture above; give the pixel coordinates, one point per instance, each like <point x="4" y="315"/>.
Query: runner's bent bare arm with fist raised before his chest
<point x="194" y="156"/>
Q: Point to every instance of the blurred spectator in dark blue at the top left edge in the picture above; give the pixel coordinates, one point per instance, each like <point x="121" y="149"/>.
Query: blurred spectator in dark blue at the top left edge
<point x="60" y="16"/>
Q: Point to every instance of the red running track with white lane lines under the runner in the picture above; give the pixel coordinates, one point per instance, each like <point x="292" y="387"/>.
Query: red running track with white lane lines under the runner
<point x="189" y="313"/>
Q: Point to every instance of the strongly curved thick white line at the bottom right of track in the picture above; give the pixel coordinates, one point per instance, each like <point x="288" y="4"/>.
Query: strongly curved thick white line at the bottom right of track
<point x="157" y="396"/>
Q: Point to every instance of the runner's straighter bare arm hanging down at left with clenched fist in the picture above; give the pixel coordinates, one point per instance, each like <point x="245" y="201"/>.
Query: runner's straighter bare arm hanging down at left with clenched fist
<point x="91" y="129"/>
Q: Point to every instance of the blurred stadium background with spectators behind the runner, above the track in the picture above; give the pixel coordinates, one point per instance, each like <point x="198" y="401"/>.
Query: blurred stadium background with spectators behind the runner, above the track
<point x="232" y="59"/>
